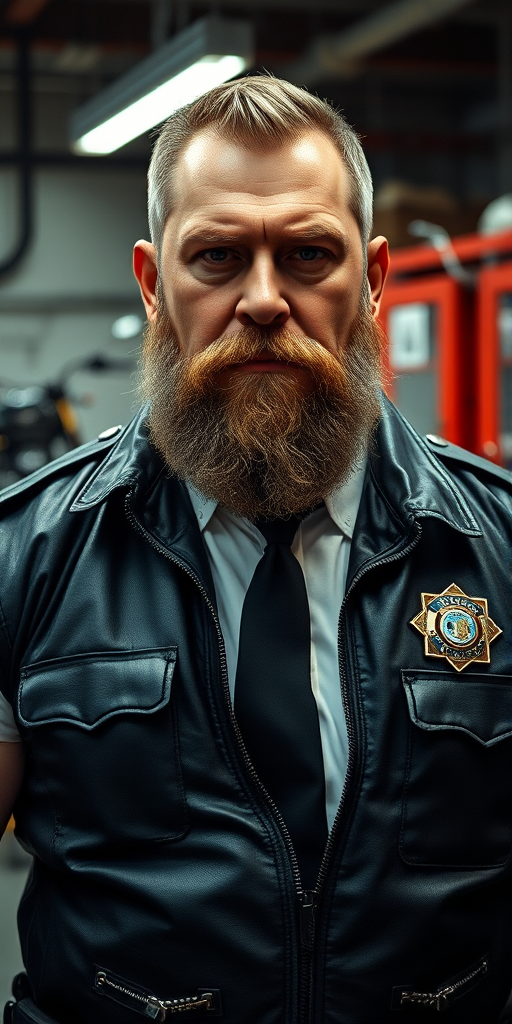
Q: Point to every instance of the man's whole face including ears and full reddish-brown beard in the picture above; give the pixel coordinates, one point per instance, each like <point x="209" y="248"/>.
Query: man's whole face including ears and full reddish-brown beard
<point x="262" y="356"/>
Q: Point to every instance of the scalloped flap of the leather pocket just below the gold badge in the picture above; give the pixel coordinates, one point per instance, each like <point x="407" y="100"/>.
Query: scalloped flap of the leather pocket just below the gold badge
<point x="477" y="704"/>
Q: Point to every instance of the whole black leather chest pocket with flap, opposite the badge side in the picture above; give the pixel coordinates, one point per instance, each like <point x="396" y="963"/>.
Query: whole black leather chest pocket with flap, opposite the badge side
<point x="104" y="737"/>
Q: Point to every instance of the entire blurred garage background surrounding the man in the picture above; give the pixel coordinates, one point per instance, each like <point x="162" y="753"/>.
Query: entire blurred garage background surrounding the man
<point x="429" y="86"/>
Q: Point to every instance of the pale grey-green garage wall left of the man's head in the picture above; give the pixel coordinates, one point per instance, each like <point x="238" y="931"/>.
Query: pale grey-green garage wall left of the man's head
<point x="60" y="305"/>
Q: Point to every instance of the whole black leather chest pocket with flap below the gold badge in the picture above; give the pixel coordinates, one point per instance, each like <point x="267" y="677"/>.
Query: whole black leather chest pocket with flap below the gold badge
<point x="457" y="807"/>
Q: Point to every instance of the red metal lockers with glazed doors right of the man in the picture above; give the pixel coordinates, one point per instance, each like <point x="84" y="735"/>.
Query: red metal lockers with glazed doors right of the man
<point x="463" y="391"/>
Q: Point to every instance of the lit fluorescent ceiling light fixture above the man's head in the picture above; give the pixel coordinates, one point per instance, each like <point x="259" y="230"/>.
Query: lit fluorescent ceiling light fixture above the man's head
<point x="209" y="53"/>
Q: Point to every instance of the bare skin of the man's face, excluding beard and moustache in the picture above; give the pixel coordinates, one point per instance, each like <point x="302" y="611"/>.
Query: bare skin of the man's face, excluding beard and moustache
<point x="261" y="238"/>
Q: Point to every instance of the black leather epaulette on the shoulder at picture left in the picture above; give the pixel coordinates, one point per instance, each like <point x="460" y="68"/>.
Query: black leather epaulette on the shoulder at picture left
<point x="61" y="475"/>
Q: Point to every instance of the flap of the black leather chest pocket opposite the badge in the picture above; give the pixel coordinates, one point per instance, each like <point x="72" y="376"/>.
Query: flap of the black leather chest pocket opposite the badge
<point x="88" y="690"/>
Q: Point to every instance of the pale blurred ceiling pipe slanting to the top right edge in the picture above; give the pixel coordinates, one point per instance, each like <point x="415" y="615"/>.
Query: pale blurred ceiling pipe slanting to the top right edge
<point x="338" y="55"/>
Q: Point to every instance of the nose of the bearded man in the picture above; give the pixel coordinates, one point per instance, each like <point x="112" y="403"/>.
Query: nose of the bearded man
<point x="263" y="301"/>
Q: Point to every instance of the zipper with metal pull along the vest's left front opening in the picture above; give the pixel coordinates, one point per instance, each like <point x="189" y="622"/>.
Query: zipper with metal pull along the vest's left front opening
<point x="303" y="899"/>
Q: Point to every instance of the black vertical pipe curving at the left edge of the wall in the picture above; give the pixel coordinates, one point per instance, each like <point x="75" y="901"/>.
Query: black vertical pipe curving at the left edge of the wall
<point x="24" y="157"/>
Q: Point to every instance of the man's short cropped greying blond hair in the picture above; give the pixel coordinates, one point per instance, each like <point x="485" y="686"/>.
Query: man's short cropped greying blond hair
<point x="255" y="112"/>
